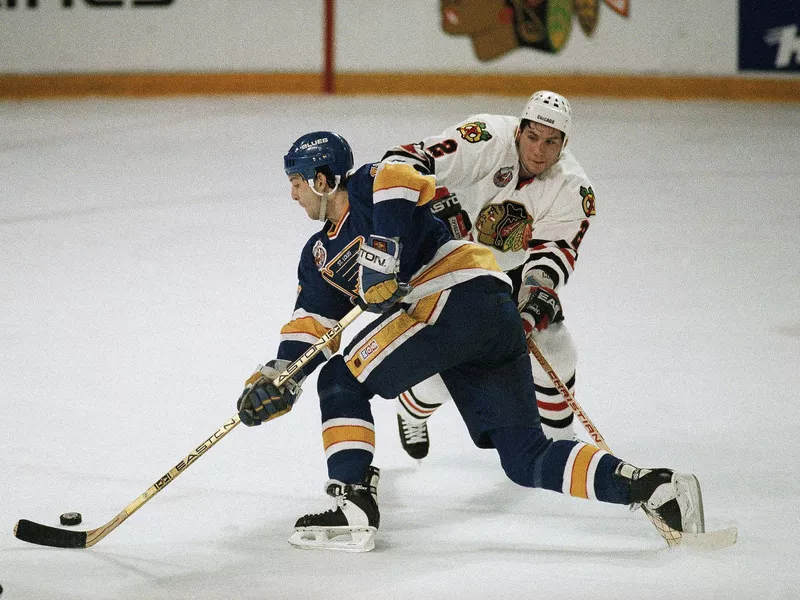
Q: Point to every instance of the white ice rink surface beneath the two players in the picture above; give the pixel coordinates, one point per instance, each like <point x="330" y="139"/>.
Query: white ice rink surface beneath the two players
<point x="148" y="252"/>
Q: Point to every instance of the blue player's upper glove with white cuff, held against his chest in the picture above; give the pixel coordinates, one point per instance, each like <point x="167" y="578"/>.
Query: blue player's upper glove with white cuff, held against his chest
<point x="379" y="262"/>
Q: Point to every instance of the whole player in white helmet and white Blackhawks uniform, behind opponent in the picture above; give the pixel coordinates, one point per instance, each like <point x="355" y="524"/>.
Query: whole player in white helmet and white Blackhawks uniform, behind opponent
<point x="510" y="183"/>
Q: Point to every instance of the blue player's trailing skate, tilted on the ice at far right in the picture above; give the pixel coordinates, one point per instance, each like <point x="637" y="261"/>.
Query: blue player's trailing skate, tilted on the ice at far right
<point x="672" y="498"/>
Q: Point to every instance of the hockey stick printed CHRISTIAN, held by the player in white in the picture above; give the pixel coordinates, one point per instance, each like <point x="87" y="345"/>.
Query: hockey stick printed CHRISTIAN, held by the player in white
<point x="708" y="540"/>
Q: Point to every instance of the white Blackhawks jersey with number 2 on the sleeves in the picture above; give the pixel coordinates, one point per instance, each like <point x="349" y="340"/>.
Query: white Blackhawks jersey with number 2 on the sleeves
<point x="538" y="223"/>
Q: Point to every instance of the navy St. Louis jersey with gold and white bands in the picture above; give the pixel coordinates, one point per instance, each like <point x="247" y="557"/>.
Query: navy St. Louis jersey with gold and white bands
<point x="387" y="199"/>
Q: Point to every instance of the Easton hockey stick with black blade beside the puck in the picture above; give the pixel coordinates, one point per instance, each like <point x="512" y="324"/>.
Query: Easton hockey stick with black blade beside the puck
<point x="44" y="535"/>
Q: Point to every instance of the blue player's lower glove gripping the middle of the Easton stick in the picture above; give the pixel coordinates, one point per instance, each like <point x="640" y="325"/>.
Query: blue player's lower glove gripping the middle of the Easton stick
<point x="261" y="401"/>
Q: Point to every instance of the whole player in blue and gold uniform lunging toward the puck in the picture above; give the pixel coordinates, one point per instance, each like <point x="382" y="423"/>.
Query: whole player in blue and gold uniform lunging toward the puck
<point x="445" y="307"/>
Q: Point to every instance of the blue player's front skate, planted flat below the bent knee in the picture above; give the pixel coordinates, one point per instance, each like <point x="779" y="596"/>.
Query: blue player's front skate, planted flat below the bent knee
<point x="350" y="526"/>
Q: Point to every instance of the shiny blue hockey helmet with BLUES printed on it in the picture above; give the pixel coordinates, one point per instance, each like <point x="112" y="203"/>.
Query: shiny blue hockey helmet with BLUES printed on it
<point x="318" y="149"/>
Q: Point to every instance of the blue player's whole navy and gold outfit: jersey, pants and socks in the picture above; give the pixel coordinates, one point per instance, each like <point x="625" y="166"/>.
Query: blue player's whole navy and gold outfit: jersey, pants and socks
<point x="458" y="321"/>
